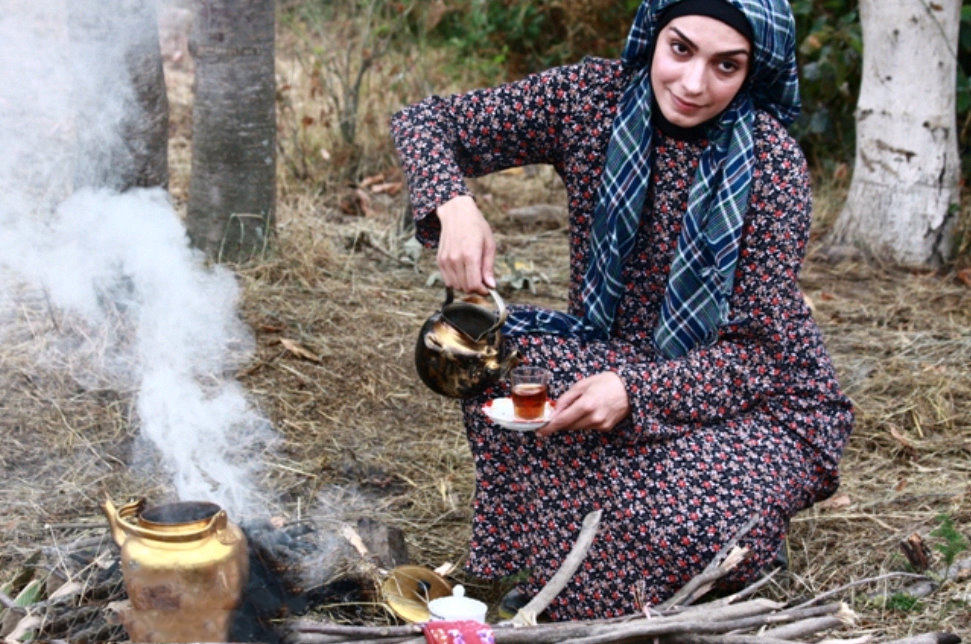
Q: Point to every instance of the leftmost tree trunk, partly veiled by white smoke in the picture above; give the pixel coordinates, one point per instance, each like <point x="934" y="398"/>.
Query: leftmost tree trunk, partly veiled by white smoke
<point x="119" y="93"/>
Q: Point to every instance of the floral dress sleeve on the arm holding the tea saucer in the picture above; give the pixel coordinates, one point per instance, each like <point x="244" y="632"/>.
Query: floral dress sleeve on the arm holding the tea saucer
<point x="770" y="321"/>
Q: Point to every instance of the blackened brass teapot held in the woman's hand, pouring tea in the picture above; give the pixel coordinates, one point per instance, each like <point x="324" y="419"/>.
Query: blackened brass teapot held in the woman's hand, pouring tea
<point x="458" y="353"/>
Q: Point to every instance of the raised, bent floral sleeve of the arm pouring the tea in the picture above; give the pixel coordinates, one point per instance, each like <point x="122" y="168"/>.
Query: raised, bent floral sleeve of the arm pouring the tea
<point x="442" y="140"/>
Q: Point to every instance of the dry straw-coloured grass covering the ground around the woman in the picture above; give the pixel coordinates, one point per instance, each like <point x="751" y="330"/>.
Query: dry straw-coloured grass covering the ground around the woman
<point x="361" y="436"/>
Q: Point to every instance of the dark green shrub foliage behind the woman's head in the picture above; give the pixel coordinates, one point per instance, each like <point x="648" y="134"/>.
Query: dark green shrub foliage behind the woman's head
<point x="511" y="37"/>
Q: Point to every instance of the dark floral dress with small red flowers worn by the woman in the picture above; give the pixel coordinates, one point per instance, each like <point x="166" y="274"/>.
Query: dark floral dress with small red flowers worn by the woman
<point x="753" y="425"/>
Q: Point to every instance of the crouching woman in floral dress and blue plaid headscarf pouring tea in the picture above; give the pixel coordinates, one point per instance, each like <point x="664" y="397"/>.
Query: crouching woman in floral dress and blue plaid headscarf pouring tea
<point x="694" y="390"/>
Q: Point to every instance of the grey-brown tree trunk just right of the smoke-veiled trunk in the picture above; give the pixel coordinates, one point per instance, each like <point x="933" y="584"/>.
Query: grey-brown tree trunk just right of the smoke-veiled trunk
<point x="232" y="187"/>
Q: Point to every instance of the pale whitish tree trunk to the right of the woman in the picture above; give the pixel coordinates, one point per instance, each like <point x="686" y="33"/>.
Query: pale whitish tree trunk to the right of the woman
<point x="902" y="203"/>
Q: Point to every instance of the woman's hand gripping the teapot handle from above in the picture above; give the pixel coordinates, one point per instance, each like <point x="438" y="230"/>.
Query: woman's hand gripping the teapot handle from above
<point x="466" y="247"/>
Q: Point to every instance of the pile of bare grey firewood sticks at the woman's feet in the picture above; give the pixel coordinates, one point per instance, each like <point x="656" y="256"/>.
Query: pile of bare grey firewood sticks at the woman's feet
<point x="728" y="620"/>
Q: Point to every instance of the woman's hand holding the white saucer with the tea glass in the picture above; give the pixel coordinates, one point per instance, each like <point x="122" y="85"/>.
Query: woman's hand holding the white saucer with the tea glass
<point x="598" y="402"/>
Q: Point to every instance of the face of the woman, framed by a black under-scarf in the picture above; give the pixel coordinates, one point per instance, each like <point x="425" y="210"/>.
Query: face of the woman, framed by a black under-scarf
<point x="699" y="65"/>
